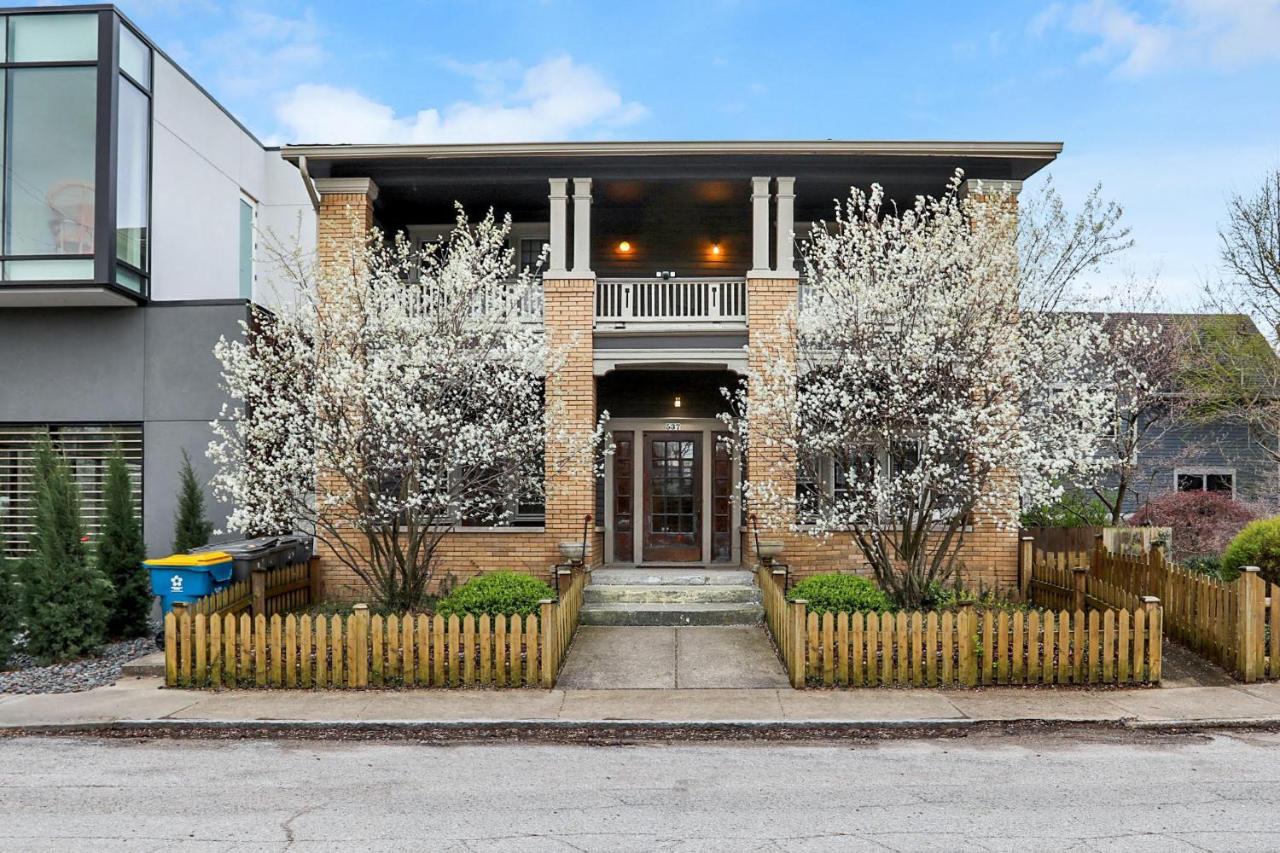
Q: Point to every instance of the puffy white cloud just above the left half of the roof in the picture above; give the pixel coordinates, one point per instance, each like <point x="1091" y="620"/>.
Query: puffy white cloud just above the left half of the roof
<point x="552" y="101"/>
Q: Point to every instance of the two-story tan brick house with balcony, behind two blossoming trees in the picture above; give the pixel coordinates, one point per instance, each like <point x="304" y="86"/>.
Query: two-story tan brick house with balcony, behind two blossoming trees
<point x="668" y="263"/>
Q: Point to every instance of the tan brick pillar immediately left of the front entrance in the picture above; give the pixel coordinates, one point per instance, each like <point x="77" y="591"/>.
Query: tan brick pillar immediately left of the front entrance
<point x="569" y="316"/>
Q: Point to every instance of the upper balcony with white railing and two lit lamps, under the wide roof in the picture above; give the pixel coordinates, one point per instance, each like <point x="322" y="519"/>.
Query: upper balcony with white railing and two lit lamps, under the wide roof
<point x="673" y="236"/>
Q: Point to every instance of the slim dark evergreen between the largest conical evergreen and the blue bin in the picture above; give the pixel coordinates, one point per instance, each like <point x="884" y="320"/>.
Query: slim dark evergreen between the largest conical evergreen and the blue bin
<point x="121" y="553"/>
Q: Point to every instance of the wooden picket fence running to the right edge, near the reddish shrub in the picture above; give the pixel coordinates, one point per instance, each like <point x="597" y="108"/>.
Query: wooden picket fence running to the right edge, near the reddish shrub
<point x="1231" y="623"/>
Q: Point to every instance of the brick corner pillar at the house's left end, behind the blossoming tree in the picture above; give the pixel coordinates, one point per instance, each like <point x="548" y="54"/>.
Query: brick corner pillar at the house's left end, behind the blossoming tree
<point x="344" y="223"/>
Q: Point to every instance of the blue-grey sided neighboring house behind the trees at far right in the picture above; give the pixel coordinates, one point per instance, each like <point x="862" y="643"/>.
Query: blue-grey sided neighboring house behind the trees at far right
<point x="1191" y="454"/>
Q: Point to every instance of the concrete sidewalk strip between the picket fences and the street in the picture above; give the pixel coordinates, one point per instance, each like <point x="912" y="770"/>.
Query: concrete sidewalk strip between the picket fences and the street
<point x="145" y="700"/>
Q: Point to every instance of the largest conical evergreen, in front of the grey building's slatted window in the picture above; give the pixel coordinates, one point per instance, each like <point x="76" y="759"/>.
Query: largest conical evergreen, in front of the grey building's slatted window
<point x="66" y="597"/>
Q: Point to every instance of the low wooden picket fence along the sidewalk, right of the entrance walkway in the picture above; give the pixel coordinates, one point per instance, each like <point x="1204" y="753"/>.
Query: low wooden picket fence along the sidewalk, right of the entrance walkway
<point x="966" y="647"/>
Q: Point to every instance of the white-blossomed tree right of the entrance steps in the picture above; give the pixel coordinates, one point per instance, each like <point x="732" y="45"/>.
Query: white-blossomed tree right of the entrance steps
<point x="916" y="393"/>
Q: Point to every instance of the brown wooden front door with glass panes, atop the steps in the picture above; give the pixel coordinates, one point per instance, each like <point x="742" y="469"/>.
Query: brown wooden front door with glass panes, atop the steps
<point x="673" y="498"/>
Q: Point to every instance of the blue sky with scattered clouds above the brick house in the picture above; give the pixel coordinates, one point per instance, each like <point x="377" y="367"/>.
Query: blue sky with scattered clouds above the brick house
<point x="1173" y="106"/>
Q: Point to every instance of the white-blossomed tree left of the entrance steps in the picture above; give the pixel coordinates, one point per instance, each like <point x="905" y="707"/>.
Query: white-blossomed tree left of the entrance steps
<point x="400" y="398"/>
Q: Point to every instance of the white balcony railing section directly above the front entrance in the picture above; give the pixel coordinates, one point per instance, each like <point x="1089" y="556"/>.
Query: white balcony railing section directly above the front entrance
<point x="671" y="302"/>
